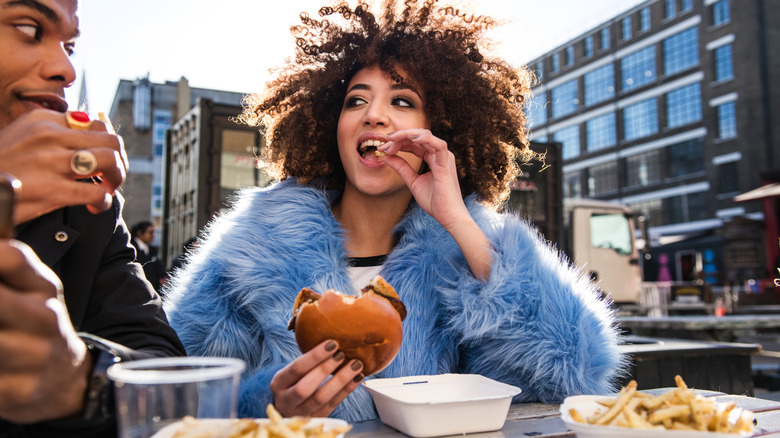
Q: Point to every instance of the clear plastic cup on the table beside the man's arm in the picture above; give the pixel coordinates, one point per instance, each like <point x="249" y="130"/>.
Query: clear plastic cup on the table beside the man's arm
<point x="153" y="393"/>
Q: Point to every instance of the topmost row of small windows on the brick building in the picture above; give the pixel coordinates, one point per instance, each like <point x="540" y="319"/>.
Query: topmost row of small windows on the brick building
<point x="719" y="11"/>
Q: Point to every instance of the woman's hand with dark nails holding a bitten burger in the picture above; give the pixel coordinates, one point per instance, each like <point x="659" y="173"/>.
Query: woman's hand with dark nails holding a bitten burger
<point x="348" y="337"/>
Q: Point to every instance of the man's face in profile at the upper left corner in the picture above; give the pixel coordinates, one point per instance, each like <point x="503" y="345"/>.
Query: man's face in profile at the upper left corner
<point x="37" y="38"/>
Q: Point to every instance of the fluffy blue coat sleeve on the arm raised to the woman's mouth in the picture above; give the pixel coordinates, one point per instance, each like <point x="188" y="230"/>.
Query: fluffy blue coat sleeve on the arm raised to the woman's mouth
<point x="537" y="323"/>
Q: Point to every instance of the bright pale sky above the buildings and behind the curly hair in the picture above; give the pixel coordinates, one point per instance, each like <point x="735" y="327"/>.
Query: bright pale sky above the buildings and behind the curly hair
<point x="231" y="44"/>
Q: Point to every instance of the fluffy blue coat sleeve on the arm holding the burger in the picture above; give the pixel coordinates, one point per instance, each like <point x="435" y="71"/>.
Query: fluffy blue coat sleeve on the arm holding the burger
<point x="231" y="300"/>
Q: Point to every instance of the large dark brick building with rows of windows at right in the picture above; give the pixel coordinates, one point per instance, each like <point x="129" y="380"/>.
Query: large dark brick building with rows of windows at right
<point x="672" y="108"/>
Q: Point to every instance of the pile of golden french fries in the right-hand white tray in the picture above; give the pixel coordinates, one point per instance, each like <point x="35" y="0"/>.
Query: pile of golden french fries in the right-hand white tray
<point x="676" y="409"/>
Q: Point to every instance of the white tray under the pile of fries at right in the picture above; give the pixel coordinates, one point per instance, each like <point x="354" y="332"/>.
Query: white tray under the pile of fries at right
<point x="587" y="405"/>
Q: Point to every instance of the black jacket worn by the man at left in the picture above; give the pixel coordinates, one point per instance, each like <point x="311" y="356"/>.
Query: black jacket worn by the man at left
<point x="106" y="294"/>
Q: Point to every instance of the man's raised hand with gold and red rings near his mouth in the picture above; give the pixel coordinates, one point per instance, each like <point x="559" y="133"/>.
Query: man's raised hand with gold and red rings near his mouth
<point x="37" y="149"/>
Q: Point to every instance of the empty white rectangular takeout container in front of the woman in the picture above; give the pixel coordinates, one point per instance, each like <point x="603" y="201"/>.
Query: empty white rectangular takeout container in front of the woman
<point x="444" y="404"/>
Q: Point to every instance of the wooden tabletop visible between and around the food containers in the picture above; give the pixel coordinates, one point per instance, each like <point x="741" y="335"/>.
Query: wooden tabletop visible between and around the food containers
<point x="543" y="420"/>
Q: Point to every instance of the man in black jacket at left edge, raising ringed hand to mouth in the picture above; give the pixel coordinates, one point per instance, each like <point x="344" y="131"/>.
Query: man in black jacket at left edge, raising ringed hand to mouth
<point x="53" y="356"/>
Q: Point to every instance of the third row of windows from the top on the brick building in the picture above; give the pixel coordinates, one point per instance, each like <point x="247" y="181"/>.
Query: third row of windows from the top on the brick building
<point x="683" y="107"/>
